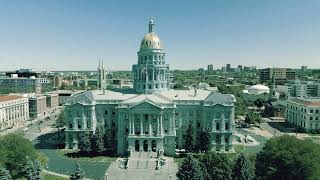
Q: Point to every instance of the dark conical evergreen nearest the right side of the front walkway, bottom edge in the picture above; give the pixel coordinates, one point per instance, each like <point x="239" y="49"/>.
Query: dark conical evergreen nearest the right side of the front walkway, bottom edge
<point x="190" y="169"/>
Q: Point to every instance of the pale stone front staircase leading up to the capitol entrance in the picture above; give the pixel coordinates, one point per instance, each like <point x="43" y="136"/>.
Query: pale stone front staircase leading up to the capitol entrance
<point x="142" y="160"/>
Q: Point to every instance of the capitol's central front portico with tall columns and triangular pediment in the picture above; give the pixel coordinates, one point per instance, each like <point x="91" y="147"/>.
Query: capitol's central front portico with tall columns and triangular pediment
<point x="149" y="124"/>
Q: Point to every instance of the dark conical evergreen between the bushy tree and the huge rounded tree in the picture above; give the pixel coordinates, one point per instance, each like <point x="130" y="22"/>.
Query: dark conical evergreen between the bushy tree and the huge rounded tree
<point x="243" y="168"/>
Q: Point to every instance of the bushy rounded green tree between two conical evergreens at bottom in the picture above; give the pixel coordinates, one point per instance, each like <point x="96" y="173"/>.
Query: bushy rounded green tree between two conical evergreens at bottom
<point x="216" y="166"/>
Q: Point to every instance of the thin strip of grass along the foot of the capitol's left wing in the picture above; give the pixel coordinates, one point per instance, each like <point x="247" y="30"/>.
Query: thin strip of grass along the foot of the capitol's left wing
<point x="65" y="152"/>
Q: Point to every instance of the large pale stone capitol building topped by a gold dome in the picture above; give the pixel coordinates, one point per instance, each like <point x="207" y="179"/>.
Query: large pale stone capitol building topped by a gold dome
<point x="151" y="117"/>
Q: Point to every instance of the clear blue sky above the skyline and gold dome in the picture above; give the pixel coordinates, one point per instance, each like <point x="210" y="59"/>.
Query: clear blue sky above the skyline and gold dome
<point x="72" y="34"/>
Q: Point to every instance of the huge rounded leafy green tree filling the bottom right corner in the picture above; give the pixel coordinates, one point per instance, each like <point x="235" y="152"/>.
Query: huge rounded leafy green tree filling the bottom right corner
<point x="287" y="157"/>
